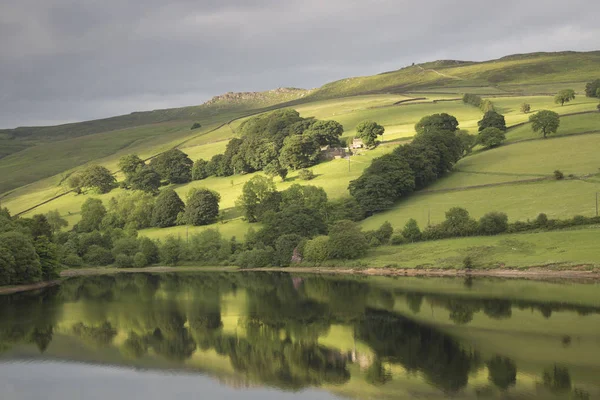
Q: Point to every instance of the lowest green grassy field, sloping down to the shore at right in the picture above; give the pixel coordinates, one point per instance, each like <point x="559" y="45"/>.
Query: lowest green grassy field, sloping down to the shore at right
<point x="515" y="250"/>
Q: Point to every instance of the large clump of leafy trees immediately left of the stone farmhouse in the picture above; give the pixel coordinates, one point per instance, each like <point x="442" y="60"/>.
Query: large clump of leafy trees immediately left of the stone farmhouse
<point x="274" y="142"/>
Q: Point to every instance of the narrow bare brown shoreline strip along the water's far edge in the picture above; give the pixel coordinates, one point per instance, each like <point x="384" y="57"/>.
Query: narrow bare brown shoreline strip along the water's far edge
<point x="582" y="273"/>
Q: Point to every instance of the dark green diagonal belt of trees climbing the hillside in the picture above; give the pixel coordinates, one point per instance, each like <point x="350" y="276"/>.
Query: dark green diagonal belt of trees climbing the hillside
<point x="436" y="147"/>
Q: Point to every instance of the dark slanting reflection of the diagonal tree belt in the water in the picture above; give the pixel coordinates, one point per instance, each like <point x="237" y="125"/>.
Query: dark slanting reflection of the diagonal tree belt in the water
<point x="418" y="348"/>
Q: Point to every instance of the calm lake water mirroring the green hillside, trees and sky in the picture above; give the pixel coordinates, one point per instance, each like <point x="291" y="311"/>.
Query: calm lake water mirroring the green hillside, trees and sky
<point x="279" y="336"/>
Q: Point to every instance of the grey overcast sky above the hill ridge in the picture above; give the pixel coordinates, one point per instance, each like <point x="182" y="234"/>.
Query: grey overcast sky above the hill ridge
<point x="73" y="60"/>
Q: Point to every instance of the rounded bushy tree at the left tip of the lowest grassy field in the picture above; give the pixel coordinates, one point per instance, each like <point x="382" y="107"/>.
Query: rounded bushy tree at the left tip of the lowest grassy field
<point x="346" y="241"/>
